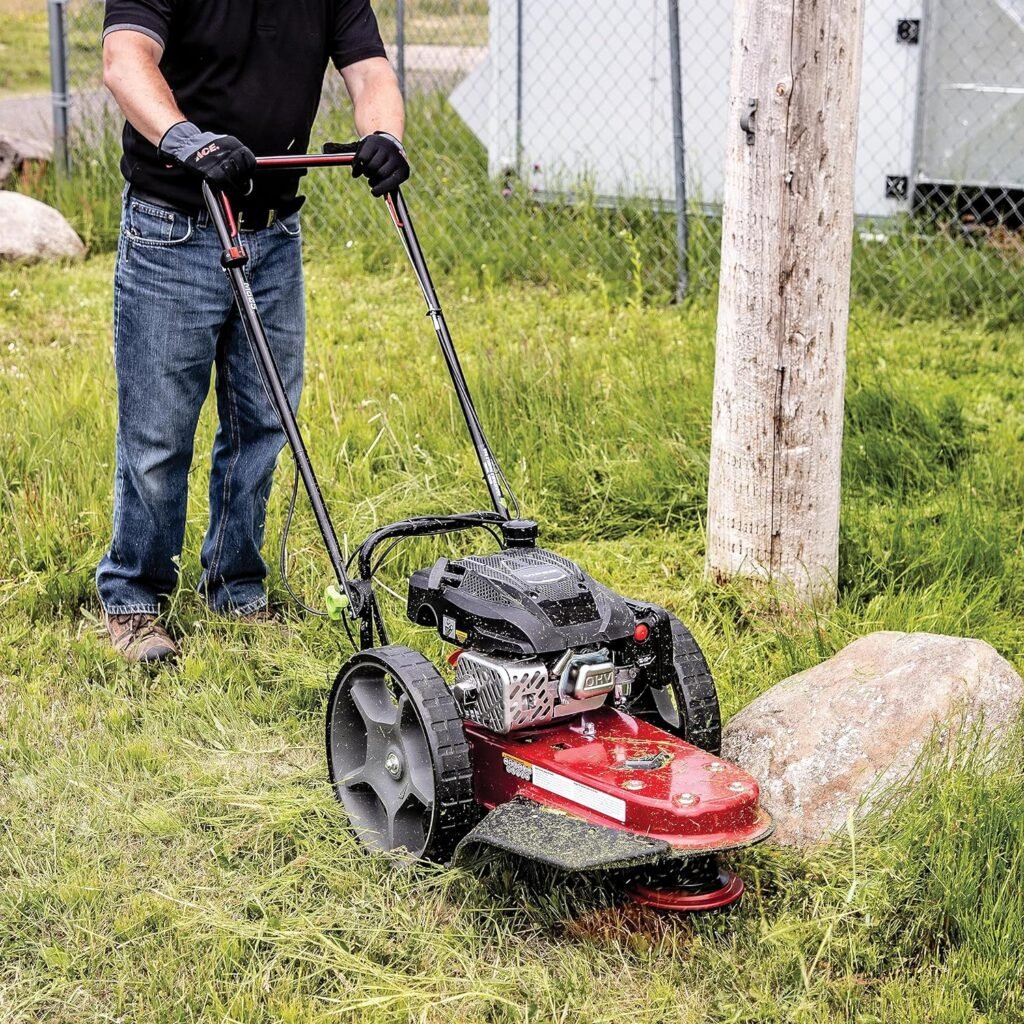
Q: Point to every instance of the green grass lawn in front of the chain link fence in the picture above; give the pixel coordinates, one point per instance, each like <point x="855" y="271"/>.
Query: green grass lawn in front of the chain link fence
<point x="170" y="849"/>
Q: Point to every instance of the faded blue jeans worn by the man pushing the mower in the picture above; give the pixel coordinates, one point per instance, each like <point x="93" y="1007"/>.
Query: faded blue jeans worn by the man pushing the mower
<point x="175" y="320"/>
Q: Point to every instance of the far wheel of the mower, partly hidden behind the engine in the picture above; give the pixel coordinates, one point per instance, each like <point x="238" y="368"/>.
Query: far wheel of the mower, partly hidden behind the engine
<point x="687" y="703"/>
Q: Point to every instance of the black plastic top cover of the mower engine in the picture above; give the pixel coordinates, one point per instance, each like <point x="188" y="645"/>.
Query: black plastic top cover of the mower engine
<point x="522" y="602"/>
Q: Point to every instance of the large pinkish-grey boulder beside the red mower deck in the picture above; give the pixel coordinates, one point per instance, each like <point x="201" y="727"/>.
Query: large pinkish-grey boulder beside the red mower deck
<point x="823" y="740"/>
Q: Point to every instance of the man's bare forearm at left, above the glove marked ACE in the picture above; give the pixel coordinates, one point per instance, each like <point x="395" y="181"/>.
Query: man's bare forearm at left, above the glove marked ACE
<point x="132" y="73"/>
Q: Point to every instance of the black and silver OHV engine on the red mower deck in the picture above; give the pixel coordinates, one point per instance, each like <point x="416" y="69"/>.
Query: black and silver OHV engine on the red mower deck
<point x="539" y="639"/>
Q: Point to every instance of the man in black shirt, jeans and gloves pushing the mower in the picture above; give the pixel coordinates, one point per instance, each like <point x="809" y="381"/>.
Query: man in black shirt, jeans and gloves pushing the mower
<point x="204" y="86"/>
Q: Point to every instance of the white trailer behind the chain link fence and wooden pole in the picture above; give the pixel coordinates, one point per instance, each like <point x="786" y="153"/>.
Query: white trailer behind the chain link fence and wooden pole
<point x="577" y="97"/>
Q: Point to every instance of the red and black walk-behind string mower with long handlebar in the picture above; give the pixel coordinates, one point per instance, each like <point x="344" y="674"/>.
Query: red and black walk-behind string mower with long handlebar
<point x="581" y="730"/>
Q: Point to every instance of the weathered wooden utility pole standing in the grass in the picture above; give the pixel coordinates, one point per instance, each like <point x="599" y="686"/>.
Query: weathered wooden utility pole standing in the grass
<point x="785" y="294"/>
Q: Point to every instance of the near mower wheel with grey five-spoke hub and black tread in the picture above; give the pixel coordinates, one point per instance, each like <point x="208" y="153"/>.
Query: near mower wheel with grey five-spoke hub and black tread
<point x="398" y="756"/>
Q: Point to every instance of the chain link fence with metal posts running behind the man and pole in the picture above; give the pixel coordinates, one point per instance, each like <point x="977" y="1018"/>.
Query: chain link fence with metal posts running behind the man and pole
<point x="585" y="142"/>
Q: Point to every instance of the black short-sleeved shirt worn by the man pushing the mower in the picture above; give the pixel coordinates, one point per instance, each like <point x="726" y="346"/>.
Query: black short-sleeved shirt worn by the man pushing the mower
<point x="252" y="69"/>
